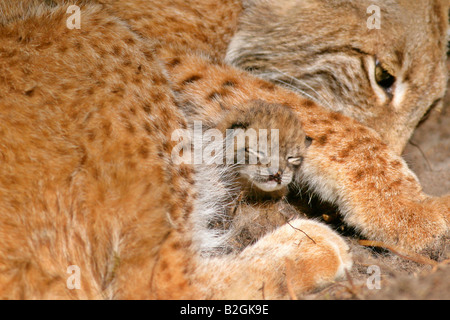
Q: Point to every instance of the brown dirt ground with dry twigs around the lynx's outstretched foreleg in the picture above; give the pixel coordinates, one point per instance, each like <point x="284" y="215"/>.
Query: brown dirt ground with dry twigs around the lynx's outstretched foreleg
<point x="428" y="155"/>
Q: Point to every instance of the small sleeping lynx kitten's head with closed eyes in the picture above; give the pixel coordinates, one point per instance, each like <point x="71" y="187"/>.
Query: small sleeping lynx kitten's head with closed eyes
<point x="269" y="146"/>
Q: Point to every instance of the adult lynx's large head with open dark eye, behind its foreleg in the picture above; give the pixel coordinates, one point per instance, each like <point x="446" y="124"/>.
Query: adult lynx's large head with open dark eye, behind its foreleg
<point x="386" y="78"/>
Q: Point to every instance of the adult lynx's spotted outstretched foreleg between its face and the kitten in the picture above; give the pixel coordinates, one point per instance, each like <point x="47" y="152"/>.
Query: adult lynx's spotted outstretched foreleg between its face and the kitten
<point x="347" y="163"/>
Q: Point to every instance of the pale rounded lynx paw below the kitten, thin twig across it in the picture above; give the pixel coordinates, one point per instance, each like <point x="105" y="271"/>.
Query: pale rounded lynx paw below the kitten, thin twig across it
<point x="297" y="257"/>
